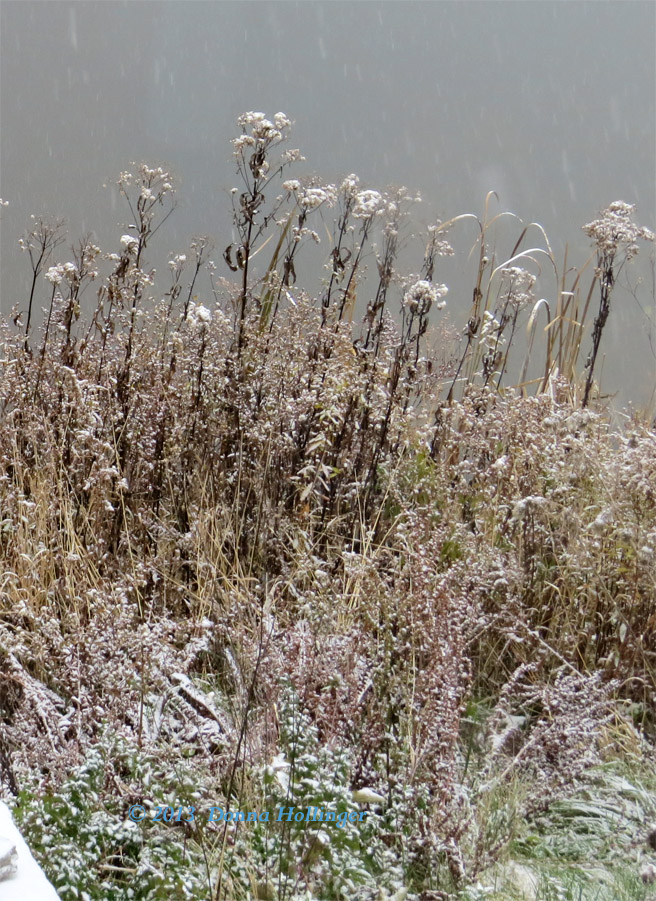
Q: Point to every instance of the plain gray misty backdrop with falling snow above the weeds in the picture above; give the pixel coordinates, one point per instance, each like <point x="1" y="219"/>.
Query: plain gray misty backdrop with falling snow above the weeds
<point x="551" y="104"/>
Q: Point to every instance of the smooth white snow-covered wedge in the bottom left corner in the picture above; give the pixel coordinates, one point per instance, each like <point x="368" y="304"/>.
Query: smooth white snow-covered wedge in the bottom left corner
<point x="21" y="878"/>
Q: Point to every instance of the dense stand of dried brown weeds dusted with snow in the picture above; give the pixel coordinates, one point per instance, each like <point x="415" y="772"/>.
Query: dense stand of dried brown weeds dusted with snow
<point x="280" y="536"/>
